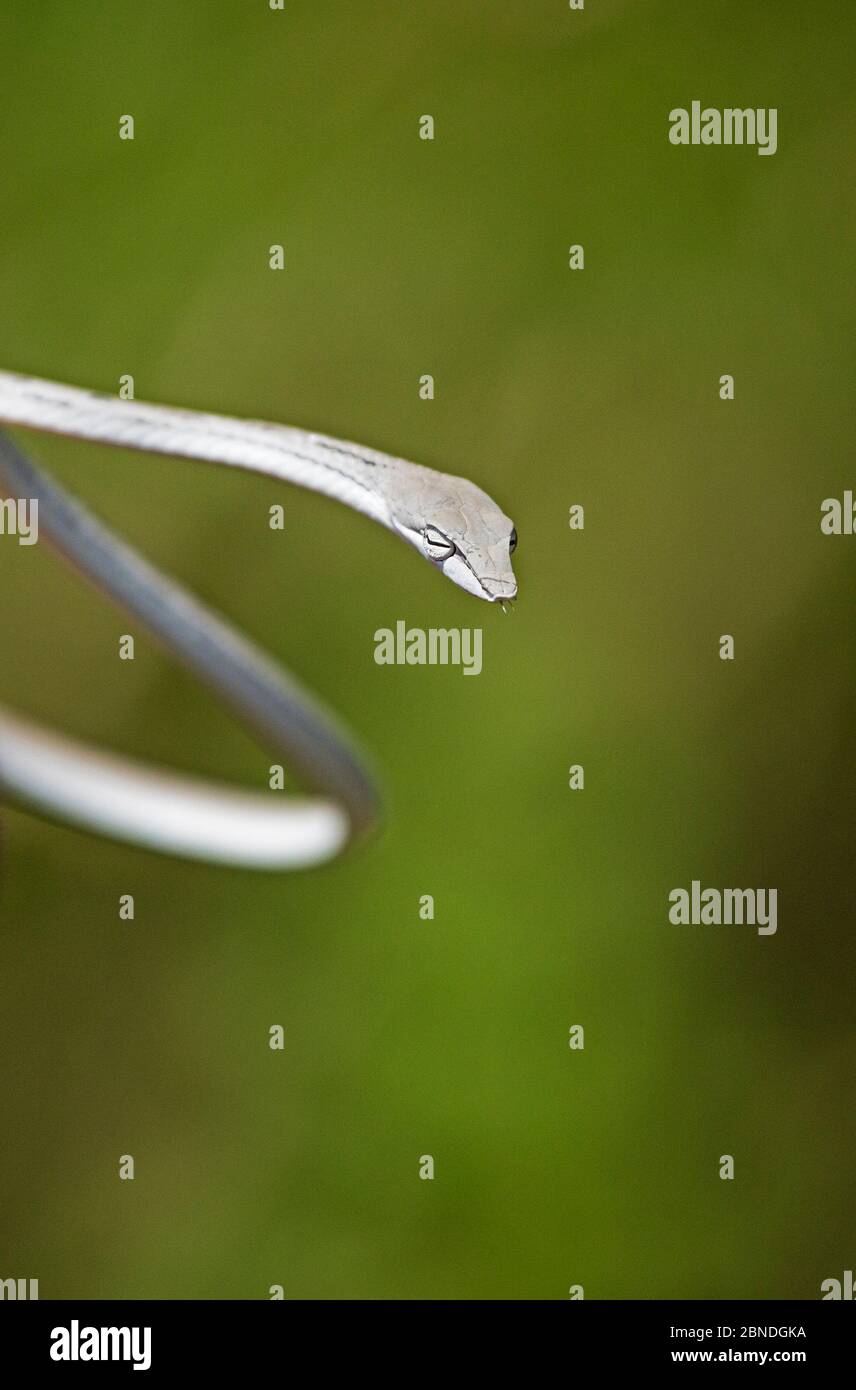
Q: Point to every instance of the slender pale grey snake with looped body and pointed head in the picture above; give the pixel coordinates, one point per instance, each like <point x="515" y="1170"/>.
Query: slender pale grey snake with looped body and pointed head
<point x="458" y="528"/>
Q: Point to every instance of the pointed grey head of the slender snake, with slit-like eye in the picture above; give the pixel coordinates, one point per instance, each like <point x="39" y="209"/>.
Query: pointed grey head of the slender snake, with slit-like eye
<point x="462" y="532"/>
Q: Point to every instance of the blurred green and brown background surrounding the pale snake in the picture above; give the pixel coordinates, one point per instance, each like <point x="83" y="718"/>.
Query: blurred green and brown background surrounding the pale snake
<point x="554" y="389"/>
